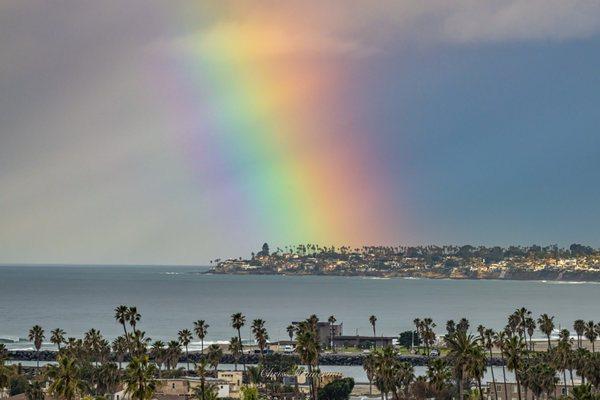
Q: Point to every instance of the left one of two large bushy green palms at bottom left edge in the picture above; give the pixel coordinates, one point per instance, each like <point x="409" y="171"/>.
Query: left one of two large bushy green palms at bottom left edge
<point x="66" y="383"/>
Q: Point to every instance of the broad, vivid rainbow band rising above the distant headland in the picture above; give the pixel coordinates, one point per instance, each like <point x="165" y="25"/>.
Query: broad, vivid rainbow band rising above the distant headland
<point x="251" y="122"/>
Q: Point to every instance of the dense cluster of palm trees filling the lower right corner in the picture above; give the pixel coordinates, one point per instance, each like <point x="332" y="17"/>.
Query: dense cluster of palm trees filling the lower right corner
<point x="467" y="357"/>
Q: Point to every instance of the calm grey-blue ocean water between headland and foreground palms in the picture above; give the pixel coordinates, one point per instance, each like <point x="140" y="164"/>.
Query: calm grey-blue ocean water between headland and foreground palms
<point x="77" y="298"/>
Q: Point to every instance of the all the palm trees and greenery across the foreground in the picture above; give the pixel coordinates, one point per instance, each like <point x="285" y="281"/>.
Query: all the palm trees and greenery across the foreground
<point x="93" y="367"/>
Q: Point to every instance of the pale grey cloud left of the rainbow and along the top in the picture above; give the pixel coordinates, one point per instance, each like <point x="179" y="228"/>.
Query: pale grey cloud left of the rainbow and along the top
<point x="88" y="170"/>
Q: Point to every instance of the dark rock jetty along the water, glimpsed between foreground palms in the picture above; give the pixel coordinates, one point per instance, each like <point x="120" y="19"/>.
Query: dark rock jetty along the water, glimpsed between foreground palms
<point x="324" y="359"/>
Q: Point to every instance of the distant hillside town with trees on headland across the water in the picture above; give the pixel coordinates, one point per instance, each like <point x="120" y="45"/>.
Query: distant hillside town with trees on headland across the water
<point x="575" y="263"/>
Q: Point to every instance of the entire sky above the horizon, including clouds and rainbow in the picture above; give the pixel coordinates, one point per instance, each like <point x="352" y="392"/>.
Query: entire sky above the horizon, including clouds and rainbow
<point x="178" y="132"/>
